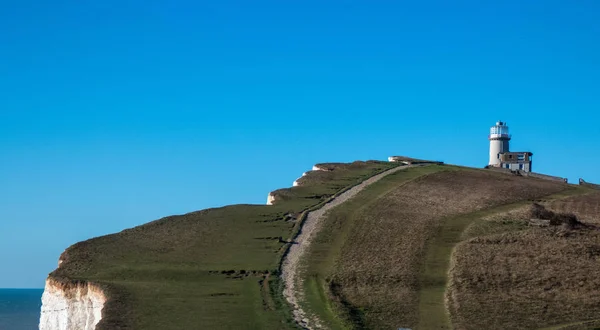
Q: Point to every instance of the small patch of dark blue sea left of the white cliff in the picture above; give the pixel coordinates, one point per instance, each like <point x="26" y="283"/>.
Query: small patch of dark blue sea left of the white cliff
<point x="20" y="308"/>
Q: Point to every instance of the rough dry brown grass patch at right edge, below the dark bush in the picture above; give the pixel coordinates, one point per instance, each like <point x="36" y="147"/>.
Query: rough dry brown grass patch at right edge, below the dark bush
<point x="532" y="278"/>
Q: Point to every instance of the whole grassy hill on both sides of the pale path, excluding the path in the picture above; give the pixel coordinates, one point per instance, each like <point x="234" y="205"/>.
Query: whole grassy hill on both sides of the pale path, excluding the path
<point x="431" y="247"/>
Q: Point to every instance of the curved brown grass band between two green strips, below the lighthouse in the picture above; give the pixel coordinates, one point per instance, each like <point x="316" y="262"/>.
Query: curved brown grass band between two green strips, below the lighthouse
<point x="378" y="269"/>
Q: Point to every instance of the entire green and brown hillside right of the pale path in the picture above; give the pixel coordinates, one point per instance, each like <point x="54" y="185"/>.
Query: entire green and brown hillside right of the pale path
<point x="386" y="258"/>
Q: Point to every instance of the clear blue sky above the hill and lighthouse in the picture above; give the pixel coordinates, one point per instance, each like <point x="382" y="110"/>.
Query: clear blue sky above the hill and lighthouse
<point x="115" y="113"/>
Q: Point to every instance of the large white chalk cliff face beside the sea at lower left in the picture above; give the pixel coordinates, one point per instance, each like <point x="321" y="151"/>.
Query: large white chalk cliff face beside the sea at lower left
<point x="71" y="306"/>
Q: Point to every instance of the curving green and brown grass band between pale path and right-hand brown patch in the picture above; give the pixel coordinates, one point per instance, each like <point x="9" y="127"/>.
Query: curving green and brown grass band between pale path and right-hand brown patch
<point x="367" y="267"/>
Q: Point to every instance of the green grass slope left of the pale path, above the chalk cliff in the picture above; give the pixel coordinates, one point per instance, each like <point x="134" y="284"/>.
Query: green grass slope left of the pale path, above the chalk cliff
<point x="211" y="269"/>
